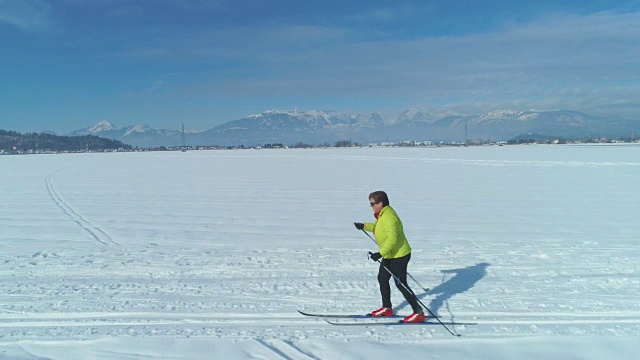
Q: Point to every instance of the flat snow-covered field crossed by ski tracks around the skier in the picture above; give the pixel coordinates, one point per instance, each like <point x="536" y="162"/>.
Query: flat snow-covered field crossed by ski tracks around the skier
<point x="208" y="254"/>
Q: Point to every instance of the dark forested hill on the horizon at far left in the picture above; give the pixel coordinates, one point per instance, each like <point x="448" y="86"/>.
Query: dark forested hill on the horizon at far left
<point x="11" y="141"/>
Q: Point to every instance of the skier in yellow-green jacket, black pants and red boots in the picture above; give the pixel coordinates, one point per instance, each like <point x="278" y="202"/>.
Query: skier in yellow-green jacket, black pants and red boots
<point x="395" y="252"/>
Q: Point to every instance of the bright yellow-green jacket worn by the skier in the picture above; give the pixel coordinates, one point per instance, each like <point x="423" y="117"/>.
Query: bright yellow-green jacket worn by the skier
<point x="389" y="234"/>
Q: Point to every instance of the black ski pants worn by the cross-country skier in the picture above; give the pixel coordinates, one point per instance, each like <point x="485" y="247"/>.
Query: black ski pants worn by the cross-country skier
<point x="398" y="267"/>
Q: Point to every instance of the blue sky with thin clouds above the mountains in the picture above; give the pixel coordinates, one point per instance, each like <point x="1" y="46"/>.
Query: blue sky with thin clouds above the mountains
<point x="67" y="64"/>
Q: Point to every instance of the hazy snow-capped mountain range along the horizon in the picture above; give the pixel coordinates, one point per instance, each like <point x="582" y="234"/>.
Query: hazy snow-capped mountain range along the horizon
<point x="317" y="127"/>
